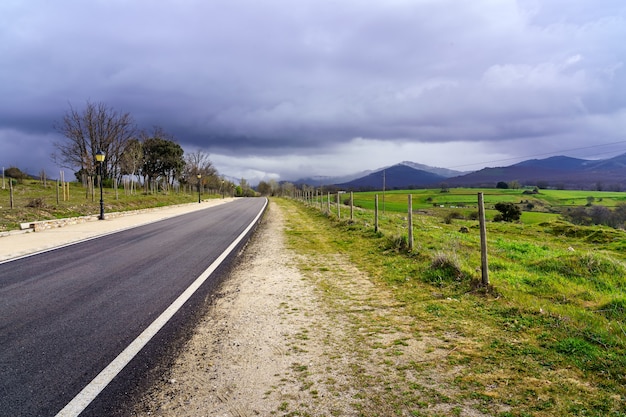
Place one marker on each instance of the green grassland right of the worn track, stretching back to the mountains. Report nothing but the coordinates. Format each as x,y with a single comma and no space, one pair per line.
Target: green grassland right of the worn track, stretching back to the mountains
549,337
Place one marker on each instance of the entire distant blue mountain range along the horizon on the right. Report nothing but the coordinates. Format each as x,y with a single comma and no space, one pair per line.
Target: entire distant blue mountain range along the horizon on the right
555,172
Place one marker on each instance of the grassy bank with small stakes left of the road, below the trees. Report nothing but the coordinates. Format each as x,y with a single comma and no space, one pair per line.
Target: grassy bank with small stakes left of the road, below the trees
33,201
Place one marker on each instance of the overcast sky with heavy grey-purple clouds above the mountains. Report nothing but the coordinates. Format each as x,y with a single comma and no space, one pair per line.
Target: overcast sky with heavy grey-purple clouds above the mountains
290,88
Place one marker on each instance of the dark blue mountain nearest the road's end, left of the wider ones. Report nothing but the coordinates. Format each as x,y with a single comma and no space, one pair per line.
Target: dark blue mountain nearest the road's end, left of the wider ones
400,176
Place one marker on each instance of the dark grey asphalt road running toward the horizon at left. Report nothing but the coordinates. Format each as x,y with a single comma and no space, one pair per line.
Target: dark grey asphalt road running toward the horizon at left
67,314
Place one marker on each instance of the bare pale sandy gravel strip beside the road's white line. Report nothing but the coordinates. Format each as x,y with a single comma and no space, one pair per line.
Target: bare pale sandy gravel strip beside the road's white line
250,353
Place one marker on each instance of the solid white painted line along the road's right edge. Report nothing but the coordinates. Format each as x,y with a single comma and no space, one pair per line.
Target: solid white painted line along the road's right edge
79,403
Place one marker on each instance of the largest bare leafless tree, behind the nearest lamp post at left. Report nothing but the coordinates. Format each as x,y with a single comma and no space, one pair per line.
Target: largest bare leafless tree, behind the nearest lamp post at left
97,127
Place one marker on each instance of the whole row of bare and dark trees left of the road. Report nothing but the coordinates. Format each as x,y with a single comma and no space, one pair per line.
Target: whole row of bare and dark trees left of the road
149,156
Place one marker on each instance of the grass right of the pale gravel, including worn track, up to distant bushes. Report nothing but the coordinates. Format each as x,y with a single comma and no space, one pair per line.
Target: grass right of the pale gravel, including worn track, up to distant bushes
547,339
